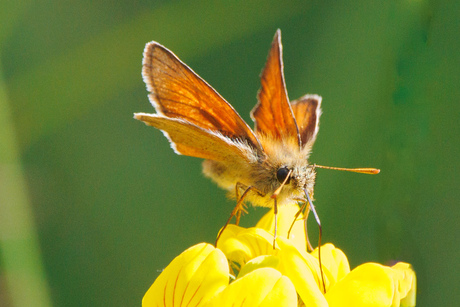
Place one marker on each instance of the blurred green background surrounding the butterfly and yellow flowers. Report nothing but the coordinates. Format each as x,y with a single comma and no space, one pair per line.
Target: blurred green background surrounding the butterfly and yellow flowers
93,204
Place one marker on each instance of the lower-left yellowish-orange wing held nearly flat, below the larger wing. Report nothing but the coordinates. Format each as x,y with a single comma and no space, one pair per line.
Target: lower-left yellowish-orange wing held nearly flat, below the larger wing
191,140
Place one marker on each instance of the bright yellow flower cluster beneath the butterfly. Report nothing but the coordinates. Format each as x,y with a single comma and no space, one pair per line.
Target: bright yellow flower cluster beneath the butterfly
284,276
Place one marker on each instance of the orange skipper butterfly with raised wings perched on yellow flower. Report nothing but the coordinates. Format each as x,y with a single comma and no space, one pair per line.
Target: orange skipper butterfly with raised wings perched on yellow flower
267,166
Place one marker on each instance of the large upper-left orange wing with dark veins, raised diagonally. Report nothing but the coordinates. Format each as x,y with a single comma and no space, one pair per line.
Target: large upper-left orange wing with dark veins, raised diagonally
178,92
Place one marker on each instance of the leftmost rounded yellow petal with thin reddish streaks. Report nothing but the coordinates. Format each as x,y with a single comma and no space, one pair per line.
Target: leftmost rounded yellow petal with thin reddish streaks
192,277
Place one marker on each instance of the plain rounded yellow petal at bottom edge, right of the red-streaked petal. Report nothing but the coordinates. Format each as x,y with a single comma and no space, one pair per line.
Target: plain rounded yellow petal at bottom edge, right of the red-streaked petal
261,287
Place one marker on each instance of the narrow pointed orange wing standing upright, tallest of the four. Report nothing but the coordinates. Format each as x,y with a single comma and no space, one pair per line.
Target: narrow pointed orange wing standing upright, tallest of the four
272,114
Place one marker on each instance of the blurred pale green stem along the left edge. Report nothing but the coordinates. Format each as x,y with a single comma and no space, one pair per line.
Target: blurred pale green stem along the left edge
20,256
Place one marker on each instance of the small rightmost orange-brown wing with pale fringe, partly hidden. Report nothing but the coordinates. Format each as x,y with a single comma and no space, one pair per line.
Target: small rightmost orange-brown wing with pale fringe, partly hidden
307,110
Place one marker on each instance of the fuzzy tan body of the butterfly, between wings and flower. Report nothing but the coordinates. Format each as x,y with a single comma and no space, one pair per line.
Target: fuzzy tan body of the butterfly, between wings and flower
259,171
